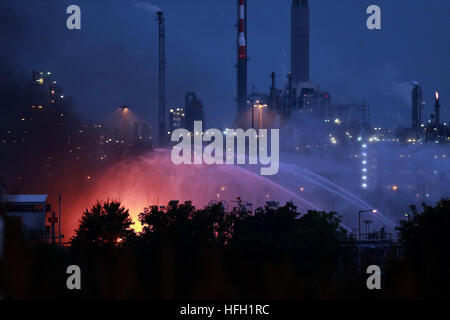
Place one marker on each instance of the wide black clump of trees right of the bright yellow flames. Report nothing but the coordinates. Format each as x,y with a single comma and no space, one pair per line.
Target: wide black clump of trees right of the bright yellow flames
298,255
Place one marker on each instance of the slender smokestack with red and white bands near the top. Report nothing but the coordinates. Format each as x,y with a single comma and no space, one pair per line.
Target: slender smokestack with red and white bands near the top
242,57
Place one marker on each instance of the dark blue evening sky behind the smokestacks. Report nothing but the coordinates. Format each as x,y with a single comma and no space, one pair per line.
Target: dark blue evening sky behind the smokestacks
113,59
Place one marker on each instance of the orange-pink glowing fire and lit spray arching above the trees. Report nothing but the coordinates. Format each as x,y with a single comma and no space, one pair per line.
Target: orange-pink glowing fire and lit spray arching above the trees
154,180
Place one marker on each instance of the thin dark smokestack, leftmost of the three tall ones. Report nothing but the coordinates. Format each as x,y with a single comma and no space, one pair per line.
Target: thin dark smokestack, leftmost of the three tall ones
162,81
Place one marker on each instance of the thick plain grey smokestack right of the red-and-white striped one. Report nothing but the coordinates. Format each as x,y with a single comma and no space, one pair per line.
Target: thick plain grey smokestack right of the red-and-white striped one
300,41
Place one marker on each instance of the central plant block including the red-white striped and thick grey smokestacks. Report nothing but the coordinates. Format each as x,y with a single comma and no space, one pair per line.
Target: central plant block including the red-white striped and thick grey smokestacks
299,95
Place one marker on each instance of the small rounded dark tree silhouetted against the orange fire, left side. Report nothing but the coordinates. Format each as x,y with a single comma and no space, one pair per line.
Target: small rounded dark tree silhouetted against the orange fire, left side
105,224
